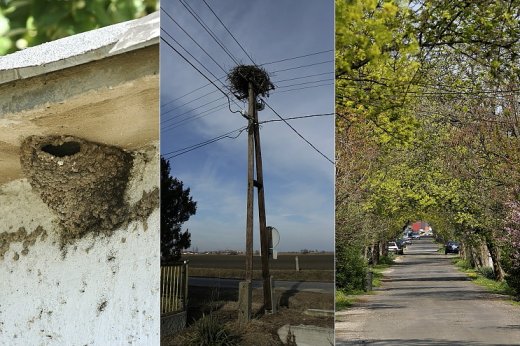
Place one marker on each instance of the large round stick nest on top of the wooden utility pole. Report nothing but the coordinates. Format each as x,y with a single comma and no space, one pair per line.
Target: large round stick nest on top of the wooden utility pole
240,76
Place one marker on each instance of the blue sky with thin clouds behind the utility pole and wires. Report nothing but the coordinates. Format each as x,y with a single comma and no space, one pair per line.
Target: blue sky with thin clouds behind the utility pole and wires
298,181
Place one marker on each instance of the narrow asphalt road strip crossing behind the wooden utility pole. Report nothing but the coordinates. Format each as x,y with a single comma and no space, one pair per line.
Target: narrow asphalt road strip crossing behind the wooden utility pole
304,286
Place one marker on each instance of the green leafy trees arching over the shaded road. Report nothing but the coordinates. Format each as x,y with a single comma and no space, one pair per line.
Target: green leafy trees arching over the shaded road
427,96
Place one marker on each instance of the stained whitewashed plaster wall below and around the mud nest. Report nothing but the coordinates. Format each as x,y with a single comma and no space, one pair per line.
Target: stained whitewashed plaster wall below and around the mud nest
101,289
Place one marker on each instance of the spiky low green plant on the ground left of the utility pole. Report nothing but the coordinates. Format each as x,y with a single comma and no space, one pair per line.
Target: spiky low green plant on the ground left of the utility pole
210,331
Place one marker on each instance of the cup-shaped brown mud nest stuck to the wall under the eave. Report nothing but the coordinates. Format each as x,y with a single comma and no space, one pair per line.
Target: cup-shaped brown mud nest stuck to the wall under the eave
82,182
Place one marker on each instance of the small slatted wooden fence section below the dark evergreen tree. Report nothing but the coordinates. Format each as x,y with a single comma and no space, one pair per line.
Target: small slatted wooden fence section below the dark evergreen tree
174,287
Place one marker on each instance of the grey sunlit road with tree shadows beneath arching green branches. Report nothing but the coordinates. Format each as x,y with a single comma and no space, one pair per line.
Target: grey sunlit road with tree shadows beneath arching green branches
424,300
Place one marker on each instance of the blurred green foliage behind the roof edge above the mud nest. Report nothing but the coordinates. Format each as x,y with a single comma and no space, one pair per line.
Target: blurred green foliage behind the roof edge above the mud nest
26,23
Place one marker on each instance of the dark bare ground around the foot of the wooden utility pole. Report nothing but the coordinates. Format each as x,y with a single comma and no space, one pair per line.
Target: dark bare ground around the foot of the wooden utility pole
262,329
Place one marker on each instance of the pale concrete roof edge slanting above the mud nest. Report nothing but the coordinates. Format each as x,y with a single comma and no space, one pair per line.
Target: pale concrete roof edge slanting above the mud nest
81,48
